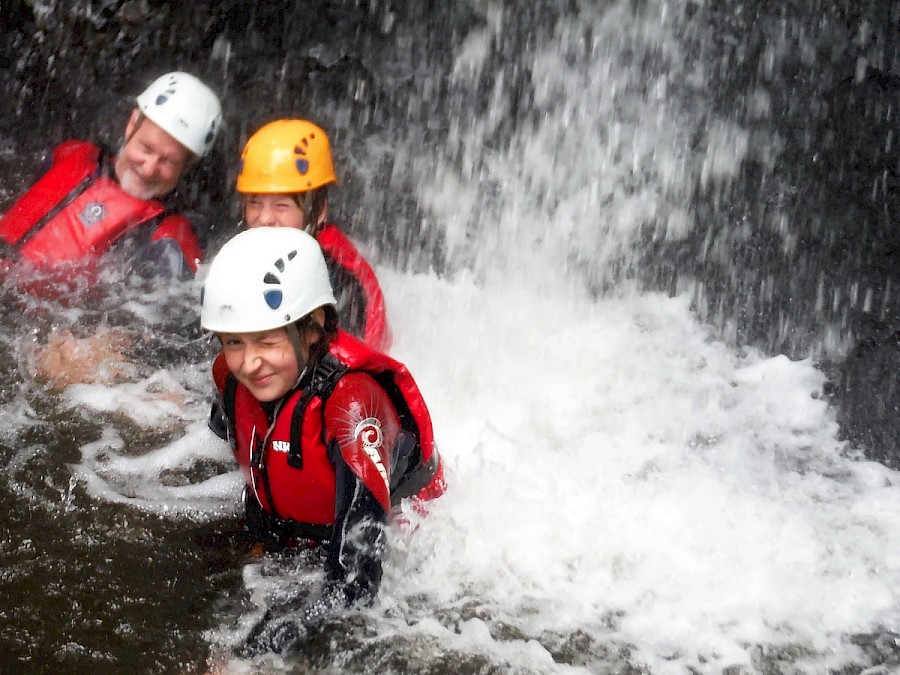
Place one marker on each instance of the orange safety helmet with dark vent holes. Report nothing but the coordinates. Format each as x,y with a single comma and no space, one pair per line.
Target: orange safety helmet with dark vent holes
286,156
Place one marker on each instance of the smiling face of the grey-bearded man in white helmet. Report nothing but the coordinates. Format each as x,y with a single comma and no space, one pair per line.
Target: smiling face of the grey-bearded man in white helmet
151,162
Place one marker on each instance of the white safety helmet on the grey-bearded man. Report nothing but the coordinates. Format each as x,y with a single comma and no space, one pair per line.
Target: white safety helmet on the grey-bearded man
185,108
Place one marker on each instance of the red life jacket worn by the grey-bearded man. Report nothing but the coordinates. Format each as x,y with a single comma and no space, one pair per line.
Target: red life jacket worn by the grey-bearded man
72,211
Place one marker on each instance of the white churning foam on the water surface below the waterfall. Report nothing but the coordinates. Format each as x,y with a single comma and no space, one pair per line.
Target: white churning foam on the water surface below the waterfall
613,470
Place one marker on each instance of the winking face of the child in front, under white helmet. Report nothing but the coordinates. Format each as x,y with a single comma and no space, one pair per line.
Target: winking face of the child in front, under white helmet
264,362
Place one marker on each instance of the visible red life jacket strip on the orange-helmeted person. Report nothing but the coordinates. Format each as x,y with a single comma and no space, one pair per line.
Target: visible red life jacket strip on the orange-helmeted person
339,248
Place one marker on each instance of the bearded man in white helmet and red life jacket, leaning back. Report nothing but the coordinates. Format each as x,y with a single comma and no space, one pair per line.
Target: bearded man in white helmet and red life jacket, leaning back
89,200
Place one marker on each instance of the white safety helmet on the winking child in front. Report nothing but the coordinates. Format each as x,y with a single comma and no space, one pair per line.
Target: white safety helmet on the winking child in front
264,278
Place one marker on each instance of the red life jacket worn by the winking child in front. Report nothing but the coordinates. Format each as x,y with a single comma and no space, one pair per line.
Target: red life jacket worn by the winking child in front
287,466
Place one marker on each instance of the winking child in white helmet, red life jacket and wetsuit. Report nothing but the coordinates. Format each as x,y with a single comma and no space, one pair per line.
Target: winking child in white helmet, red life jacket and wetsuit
330,434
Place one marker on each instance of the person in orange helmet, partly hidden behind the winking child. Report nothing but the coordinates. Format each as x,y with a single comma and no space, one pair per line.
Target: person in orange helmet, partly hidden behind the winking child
286,168
